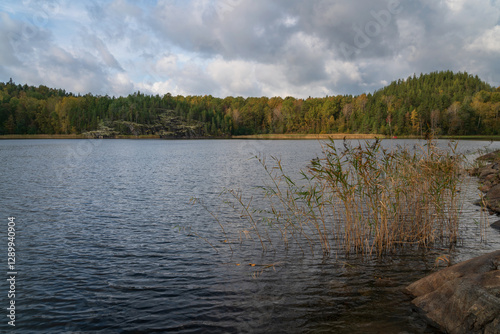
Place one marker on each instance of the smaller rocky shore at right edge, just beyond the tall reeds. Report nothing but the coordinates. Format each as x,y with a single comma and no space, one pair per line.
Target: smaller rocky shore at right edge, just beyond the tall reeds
489,177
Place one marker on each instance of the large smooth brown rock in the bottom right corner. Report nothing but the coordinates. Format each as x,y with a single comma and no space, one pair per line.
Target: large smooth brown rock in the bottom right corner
464,298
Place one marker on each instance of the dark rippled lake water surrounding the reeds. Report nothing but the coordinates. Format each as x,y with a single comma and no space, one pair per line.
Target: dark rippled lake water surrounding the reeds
102,245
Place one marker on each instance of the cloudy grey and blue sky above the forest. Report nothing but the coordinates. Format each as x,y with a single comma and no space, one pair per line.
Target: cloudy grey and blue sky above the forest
255,48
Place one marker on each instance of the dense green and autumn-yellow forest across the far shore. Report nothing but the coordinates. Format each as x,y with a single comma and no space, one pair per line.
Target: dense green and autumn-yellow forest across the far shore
441,103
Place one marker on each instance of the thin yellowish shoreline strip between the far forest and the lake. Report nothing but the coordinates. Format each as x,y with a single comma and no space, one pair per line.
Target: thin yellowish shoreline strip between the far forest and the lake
335,136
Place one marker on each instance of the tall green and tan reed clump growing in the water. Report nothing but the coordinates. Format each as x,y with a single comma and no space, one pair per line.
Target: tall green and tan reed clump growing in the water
362,199
